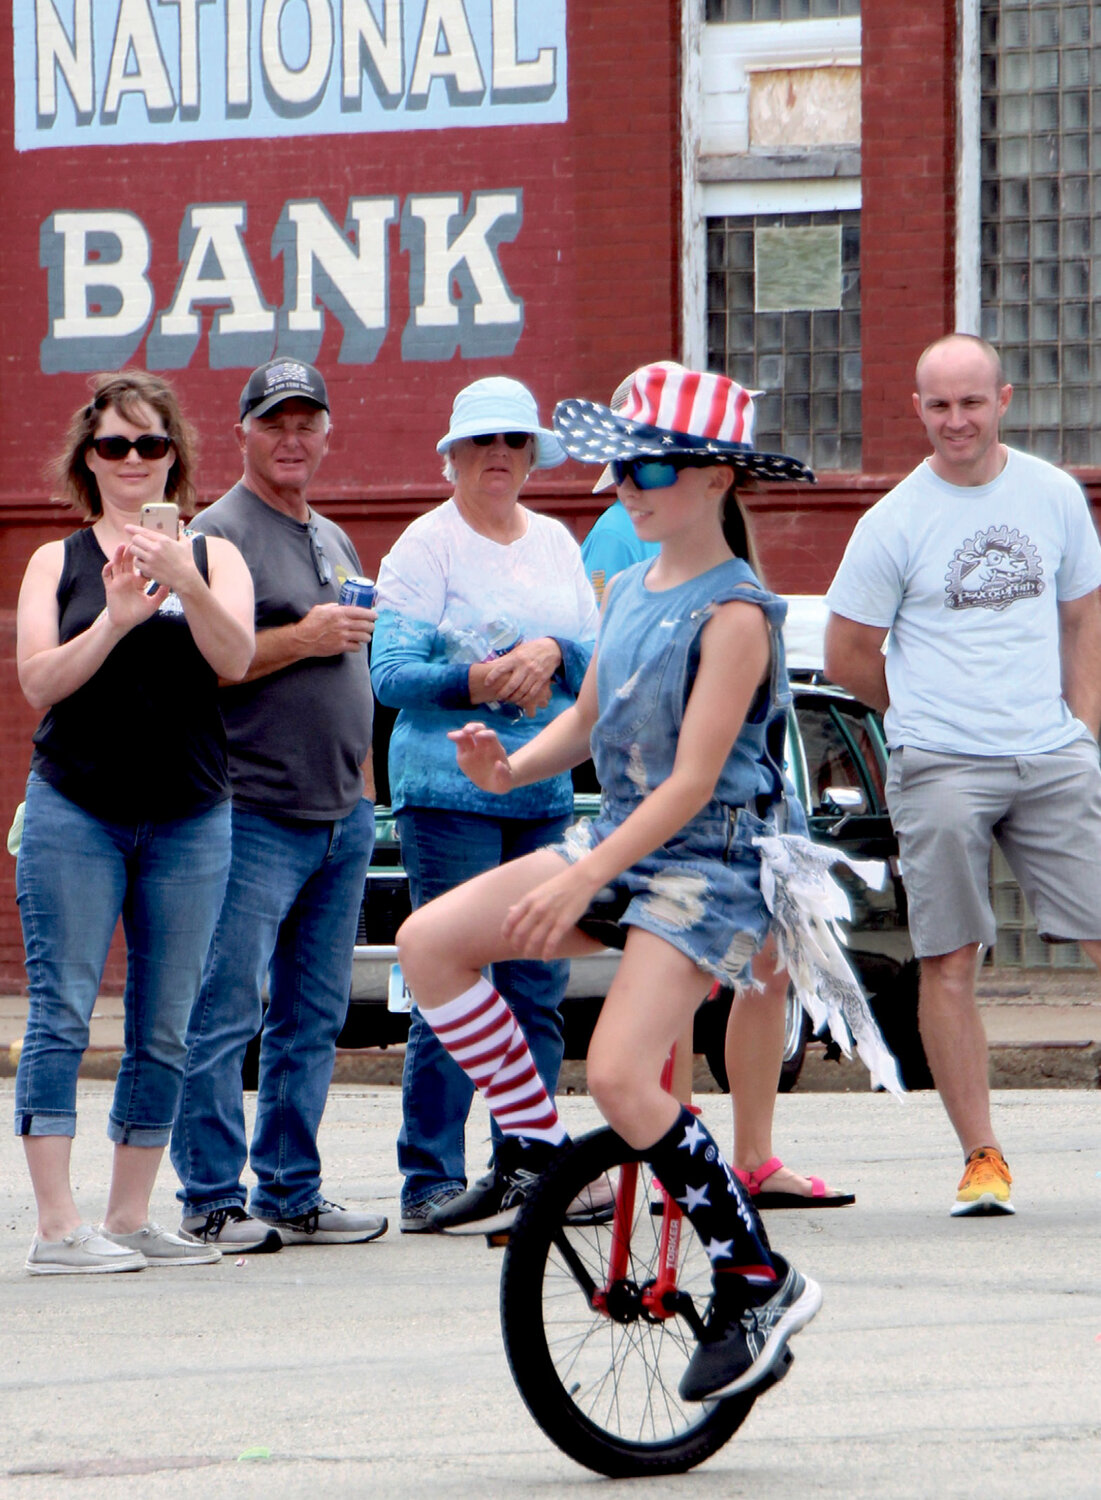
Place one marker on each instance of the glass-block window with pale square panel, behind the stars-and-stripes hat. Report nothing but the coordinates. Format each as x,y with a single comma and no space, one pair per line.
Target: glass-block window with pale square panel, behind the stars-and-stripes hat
784,319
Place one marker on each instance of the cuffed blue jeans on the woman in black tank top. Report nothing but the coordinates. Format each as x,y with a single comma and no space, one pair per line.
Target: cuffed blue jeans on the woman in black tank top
76,877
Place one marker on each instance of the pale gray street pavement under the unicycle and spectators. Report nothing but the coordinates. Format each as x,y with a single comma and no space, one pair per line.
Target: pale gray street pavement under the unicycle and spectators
950,1358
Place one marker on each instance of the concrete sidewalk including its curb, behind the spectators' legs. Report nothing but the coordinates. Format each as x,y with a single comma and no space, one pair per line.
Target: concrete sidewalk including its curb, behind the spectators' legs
1045,1028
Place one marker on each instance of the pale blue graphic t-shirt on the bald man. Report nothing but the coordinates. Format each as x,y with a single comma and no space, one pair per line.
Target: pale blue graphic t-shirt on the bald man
970,581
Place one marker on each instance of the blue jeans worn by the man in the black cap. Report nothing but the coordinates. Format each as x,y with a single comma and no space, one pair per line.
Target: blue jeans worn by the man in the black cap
290,920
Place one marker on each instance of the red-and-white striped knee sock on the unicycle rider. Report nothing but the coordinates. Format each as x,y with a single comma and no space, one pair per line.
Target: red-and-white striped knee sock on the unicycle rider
484,1037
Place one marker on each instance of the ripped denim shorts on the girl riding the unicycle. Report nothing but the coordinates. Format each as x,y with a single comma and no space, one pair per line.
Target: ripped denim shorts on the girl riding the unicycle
700,892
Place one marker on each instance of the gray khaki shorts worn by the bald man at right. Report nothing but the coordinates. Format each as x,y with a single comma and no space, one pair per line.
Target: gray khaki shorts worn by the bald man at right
1045,811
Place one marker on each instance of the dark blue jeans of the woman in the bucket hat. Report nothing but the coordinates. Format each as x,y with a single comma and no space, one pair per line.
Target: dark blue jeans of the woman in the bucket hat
442,850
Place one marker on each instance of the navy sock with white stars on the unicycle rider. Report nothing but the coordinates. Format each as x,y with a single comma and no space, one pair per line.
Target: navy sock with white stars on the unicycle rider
692,1169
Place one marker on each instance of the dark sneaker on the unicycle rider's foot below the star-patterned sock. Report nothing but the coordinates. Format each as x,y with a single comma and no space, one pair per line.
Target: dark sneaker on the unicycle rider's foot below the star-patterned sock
745,1346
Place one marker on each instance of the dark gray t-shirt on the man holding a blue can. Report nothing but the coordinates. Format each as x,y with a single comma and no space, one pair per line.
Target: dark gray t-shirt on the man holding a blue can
299,736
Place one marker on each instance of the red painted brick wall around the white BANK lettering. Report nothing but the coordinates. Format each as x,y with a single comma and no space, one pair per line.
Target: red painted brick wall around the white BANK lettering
595,260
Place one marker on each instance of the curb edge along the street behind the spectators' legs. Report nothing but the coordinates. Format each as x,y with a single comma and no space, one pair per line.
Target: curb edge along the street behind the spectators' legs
1013,1066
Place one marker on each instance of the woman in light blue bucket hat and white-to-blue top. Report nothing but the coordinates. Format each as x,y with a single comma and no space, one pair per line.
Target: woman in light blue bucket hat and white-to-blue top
484,605
